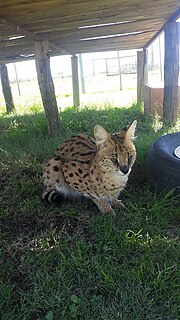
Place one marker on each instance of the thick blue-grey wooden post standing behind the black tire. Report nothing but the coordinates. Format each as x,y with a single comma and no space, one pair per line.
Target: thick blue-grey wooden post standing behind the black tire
171,71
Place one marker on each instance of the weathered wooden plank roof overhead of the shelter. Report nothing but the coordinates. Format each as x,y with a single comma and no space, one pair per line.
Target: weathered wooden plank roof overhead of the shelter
79,26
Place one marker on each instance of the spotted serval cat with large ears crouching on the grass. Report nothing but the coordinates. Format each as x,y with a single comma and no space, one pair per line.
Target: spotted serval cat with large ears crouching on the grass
95,168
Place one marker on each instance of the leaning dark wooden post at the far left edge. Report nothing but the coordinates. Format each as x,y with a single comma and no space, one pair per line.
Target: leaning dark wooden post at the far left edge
6,89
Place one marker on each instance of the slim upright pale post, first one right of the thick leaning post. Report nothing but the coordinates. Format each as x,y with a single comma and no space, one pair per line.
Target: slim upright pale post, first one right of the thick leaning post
75,81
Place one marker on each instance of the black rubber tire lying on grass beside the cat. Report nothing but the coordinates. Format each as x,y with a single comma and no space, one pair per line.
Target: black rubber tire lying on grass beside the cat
162,166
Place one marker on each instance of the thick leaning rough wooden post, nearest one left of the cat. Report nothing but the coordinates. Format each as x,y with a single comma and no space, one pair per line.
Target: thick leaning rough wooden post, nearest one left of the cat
46,86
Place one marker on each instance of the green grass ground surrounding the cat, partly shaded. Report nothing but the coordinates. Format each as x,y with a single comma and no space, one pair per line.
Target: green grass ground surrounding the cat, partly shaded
72,262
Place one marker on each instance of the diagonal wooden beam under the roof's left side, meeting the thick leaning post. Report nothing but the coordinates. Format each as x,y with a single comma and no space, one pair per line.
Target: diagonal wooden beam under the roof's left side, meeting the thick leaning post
30,35
